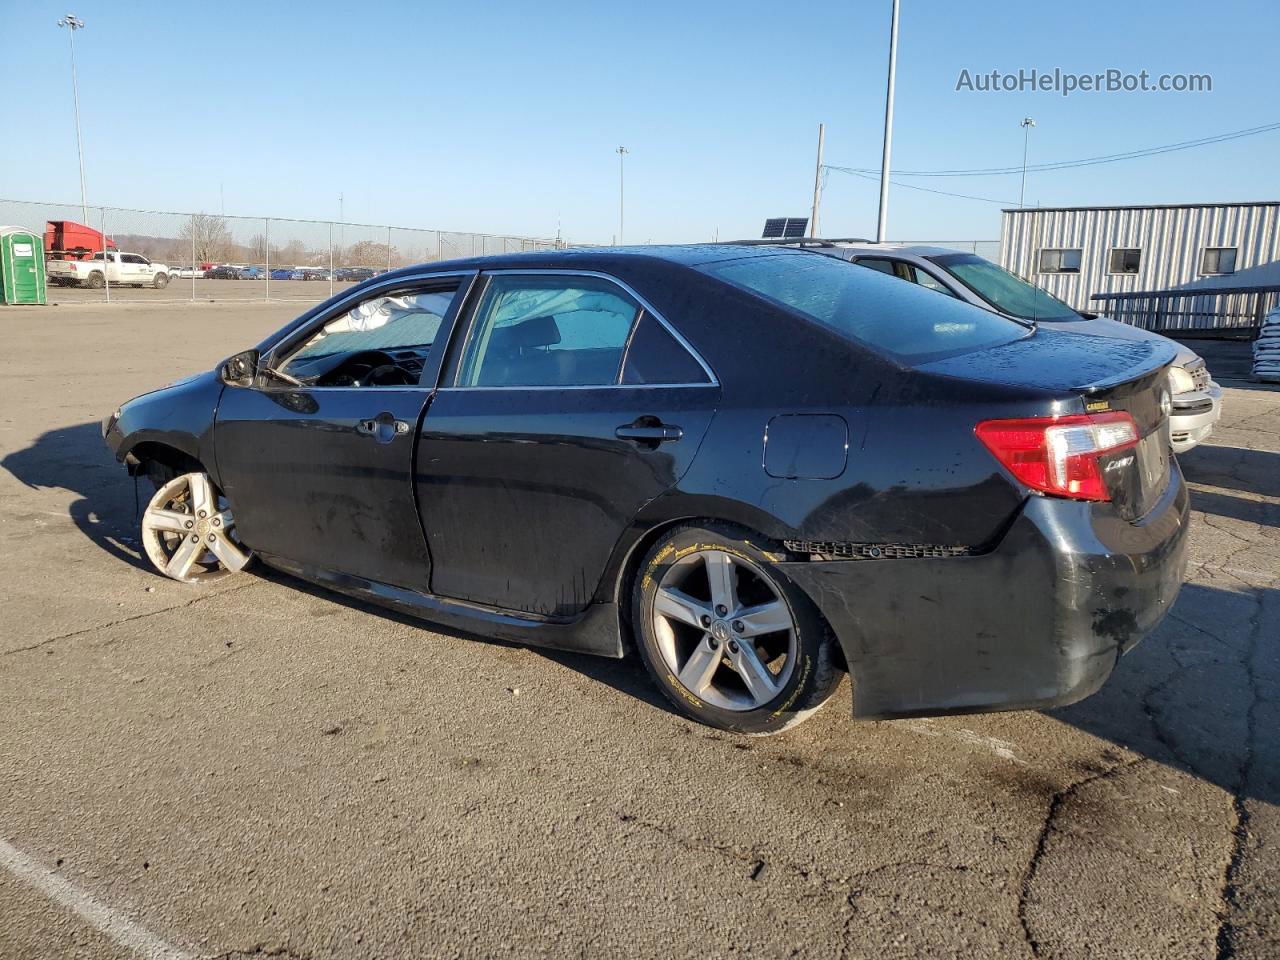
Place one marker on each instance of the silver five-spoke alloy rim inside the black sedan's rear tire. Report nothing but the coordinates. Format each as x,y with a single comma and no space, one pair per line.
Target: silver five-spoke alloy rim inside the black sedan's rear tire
725,630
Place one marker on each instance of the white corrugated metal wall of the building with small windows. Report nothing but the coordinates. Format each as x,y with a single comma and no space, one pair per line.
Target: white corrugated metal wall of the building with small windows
1172,240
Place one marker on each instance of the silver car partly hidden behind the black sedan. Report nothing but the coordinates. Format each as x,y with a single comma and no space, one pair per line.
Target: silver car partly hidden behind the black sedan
1197,400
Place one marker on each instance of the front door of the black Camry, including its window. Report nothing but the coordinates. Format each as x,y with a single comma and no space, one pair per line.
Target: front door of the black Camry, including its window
321,473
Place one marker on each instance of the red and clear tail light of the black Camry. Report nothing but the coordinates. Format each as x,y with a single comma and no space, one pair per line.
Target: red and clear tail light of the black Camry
1060,455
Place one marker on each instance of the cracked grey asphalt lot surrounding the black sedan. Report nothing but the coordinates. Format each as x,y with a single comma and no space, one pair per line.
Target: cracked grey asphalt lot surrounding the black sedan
259,769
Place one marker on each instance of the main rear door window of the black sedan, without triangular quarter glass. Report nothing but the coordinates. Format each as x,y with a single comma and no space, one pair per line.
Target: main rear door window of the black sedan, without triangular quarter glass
547,332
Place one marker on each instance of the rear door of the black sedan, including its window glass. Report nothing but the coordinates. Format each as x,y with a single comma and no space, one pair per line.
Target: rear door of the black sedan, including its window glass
569,406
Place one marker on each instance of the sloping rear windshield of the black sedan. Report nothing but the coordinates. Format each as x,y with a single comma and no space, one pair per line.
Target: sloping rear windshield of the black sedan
909,322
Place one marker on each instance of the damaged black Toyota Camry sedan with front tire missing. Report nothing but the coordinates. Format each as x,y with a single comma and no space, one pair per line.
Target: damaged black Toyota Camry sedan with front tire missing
761,468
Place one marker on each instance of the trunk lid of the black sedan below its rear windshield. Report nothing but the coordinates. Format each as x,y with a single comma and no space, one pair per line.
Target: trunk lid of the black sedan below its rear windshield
1101,374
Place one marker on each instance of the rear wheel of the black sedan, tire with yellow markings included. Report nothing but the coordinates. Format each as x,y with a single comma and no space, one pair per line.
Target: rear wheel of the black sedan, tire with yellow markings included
707,657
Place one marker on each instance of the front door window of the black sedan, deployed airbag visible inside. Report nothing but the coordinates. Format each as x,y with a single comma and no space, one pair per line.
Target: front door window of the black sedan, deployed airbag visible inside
391,335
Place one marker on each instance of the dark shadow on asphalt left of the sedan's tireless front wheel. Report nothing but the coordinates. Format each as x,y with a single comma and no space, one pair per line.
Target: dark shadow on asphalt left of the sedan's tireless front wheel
75,459
